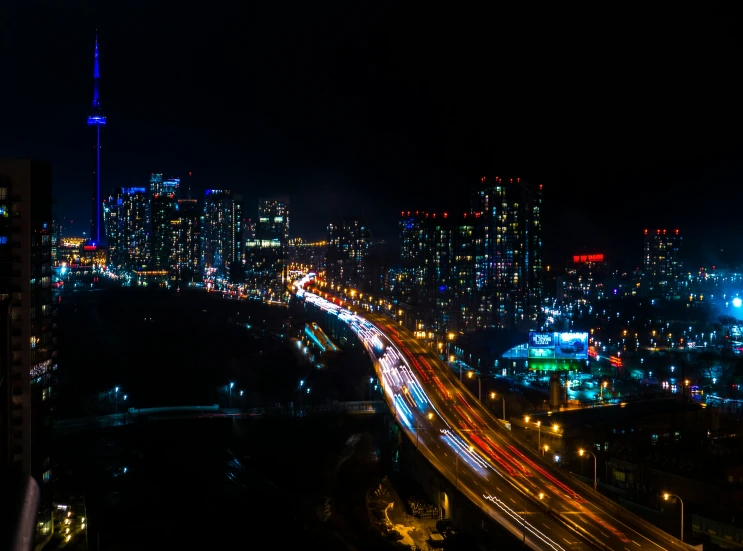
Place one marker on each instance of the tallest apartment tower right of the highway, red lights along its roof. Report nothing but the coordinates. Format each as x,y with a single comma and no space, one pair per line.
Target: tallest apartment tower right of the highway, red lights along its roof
509,253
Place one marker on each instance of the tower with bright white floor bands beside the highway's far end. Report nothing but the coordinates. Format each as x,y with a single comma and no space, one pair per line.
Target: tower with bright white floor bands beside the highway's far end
267,255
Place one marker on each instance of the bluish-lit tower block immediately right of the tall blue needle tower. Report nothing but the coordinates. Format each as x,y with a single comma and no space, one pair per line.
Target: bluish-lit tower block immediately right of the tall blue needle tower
126,215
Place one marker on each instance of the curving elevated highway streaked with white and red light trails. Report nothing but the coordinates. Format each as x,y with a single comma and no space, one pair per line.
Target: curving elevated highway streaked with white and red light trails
482,460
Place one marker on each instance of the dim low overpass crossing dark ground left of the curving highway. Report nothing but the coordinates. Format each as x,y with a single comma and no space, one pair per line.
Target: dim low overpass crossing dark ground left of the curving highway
168,413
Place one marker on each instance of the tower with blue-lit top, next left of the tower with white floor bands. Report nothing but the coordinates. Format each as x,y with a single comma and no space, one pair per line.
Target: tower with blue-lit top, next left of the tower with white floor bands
218,233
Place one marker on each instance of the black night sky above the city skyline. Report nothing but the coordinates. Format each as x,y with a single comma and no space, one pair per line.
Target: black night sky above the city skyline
369,109
